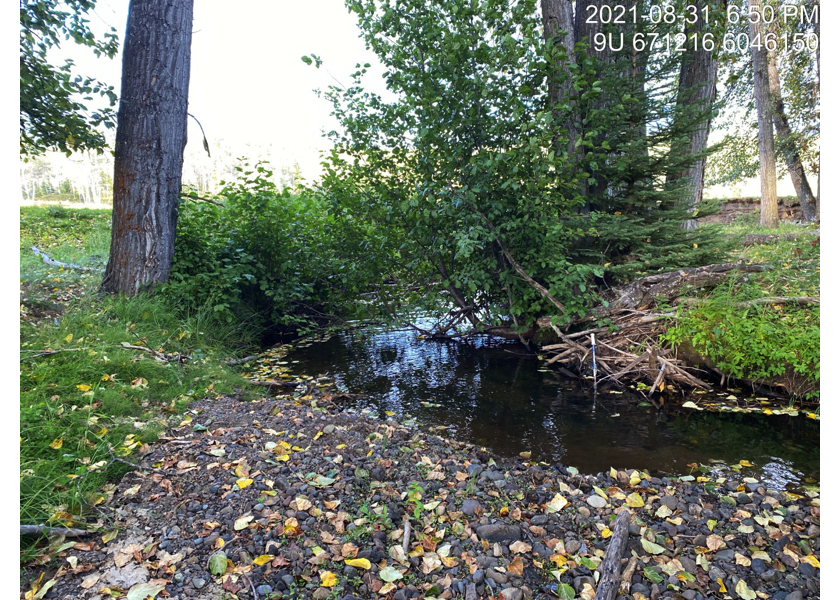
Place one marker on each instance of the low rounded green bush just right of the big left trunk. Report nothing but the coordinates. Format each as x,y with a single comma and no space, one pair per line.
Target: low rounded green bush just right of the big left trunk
264,252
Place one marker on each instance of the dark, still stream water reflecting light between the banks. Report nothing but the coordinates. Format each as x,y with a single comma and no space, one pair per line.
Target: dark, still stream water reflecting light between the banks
493,393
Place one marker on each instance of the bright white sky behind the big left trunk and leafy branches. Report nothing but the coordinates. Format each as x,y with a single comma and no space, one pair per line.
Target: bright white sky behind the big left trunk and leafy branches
248,85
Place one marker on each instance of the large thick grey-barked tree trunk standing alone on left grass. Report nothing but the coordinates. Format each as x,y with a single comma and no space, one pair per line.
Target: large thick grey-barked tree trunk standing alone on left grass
149,152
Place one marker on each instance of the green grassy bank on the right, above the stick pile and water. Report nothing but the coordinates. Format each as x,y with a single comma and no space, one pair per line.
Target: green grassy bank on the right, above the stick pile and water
748,337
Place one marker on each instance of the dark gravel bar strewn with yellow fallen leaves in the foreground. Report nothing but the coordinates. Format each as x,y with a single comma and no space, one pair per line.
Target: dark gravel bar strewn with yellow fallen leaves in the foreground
300,498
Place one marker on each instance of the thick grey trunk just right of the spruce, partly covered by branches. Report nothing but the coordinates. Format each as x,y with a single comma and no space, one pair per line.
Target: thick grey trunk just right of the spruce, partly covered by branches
698,76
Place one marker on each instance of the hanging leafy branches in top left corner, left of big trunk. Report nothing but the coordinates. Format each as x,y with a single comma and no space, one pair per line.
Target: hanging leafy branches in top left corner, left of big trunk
53,114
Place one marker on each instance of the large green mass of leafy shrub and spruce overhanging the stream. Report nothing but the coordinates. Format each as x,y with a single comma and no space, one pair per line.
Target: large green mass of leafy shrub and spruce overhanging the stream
469,169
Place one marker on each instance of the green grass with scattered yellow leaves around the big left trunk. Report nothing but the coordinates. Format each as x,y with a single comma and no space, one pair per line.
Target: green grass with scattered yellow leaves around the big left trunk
94,398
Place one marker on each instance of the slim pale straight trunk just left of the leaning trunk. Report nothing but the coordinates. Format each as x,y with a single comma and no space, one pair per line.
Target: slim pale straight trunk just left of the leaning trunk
764,108
